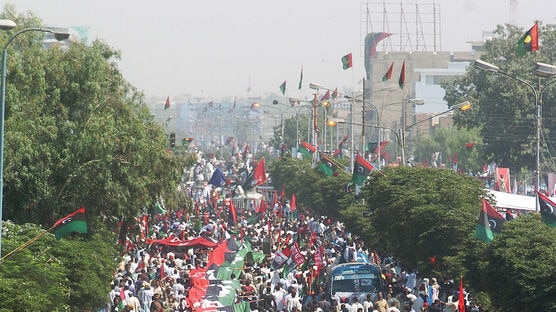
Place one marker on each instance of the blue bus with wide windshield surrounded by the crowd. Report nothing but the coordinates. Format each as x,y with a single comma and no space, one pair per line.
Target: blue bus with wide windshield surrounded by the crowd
349,280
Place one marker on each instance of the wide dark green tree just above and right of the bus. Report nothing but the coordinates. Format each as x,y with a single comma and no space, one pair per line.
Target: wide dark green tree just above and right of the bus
419,214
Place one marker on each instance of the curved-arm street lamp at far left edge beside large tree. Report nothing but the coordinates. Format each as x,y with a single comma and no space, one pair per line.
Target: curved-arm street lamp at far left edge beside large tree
6,25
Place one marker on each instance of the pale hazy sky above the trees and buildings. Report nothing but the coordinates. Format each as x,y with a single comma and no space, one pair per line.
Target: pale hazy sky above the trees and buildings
220,48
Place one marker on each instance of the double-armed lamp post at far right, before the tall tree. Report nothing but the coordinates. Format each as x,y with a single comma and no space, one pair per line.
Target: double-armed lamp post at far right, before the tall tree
542,70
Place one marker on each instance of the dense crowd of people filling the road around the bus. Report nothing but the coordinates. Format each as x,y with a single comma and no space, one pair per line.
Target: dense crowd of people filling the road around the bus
162,277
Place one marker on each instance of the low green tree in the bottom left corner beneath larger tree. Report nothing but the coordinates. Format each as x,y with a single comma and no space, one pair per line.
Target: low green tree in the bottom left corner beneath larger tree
71,274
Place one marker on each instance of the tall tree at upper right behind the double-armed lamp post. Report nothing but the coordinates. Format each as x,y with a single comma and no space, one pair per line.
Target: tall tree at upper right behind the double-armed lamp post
504,109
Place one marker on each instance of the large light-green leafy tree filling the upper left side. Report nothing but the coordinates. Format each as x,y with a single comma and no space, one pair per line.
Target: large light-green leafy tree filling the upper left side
78,135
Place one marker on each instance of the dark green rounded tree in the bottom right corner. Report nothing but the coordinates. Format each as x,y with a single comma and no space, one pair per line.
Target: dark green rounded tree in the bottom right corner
517,268
